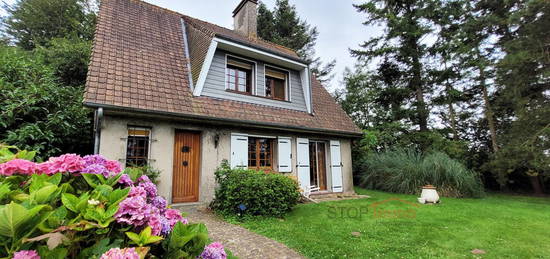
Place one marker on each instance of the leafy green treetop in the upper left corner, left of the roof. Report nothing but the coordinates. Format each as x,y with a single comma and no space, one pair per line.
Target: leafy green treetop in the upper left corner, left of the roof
32,23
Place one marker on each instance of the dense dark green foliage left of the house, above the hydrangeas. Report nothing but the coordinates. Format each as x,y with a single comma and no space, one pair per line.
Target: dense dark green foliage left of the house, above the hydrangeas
36,113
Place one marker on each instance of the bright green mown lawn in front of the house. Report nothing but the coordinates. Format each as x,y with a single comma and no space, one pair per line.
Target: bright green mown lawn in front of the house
503,226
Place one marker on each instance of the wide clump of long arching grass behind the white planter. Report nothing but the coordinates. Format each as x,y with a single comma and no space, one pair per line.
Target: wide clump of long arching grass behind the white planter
407,170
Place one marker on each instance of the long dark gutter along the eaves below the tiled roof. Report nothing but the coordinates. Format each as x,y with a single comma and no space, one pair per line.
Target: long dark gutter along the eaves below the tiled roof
235,122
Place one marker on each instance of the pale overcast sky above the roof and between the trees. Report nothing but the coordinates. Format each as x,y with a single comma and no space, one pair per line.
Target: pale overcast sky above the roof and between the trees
340,26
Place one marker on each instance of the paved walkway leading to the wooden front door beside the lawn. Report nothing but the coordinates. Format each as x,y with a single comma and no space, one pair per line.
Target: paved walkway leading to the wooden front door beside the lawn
242,242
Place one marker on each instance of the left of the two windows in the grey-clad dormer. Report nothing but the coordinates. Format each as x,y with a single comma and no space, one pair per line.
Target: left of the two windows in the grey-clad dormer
239,75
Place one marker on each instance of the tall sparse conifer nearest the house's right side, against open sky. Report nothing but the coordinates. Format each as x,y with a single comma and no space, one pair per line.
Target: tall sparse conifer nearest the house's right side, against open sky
407,22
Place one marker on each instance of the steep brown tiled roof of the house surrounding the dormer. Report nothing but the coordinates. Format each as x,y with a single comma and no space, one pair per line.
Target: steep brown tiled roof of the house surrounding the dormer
139,63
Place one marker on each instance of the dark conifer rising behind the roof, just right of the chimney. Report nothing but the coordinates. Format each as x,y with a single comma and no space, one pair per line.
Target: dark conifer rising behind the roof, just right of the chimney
284,27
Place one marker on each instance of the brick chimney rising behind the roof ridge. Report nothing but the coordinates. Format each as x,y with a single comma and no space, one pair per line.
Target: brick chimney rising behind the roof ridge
245,18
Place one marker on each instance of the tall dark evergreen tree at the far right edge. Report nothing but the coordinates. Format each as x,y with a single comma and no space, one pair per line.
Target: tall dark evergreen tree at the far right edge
524,76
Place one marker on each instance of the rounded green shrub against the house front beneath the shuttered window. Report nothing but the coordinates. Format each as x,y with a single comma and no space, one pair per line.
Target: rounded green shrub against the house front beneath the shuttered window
249,192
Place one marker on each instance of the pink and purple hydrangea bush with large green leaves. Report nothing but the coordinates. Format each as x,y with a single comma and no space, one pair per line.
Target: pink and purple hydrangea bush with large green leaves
86,207
